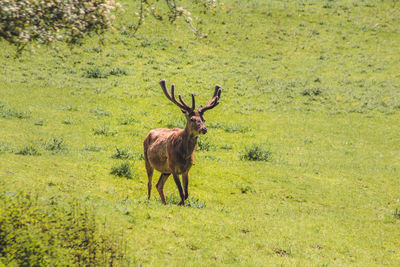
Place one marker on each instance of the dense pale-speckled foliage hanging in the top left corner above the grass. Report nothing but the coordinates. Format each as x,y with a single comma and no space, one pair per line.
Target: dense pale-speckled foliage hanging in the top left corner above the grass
47,21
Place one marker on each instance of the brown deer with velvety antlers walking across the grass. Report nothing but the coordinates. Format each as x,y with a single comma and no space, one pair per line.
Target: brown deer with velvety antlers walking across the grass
170,151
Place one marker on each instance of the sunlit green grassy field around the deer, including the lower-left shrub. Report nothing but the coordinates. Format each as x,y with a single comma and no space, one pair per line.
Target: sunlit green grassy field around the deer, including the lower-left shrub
313,85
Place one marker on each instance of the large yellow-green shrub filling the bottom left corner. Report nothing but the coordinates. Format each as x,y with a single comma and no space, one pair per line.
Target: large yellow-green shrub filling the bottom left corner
45,233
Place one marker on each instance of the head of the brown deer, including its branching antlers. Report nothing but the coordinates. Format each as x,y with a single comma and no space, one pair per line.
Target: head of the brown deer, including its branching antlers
195,119
